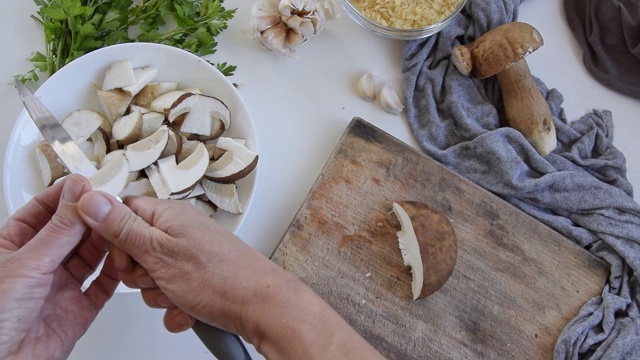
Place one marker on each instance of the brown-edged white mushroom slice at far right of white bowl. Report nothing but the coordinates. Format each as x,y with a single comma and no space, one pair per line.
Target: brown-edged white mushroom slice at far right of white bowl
236,162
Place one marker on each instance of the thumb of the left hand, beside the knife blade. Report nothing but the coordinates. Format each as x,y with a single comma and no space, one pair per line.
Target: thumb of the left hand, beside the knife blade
65,229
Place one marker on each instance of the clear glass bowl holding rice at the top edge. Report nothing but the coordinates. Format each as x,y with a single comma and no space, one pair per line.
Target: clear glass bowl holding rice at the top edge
396,33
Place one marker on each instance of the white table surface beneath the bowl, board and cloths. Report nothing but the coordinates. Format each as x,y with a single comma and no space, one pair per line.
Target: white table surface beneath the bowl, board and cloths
301,107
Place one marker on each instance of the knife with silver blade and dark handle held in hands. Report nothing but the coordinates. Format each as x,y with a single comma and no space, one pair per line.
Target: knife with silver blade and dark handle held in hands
222,344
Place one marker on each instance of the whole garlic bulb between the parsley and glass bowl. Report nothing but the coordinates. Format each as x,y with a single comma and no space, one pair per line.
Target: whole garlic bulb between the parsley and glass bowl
283,25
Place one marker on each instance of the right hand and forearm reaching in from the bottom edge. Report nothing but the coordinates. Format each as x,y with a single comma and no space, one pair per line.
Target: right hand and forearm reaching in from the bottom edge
189,264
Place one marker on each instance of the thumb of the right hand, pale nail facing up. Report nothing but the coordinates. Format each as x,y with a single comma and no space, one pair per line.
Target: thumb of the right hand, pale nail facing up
118,224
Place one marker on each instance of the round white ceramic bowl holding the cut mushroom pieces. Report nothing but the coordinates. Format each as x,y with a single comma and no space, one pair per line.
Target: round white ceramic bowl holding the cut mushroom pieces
72,88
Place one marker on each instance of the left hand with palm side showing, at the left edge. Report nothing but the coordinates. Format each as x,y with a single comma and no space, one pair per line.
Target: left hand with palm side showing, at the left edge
46,254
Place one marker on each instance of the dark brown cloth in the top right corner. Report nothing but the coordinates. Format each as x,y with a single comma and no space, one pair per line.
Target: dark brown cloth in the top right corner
609,33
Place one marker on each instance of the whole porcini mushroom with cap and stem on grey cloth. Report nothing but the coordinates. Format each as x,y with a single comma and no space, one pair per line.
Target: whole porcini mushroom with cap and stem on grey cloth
501,52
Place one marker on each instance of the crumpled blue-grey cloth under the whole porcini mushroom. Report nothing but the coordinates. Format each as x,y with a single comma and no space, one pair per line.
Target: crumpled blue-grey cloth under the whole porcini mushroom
580,189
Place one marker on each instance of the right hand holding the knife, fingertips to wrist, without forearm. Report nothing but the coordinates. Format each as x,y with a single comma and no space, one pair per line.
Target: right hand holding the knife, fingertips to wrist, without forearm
183,260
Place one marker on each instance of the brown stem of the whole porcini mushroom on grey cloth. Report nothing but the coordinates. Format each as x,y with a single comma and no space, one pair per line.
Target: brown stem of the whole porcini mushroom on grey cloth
525,108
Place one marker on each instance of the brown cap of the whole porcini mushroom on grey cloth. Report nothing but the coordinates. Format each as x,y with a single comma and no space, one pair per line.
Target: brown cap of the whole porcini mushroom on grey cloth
497,49
